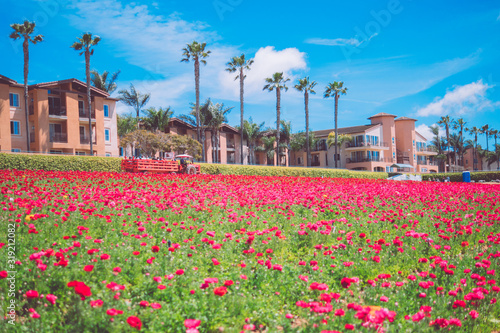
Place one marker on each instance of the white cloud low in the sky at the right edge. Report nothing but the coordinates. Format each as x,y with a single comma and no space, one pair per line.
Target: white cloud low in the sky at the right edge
459,101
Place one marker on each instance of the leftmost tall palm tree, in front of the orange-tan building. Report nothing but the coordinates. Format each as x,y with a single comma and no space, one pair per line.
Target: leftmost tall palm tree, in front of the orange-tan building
25,31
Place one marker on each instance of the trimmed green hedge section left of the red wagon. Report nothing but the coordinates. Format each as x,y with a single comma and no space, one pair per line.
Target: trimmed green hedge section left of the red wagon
59,162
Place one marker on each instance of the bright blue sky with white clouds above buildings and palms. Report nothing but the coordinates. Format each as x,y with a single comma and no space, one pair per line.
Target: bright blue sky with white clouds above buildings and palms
422,59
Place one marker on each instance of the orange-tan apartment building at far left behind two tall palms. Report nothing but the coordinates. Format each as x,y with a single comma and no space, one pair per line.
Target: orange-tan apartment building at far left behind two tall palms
58,118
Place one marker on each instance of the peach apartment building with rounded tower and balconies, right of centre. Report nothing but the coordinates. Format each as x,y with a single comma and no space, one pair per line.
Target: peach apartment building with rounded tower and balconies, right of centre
387,144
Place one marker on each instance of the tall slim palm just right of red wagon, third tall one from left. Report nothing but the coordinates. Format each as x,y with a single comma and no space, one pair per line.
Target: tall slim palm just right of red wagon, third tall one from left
197,51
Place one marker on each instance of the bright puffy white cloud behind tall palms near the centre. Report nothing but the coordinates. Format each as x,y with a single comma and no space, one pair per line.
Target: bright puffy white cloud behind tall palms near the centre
267,61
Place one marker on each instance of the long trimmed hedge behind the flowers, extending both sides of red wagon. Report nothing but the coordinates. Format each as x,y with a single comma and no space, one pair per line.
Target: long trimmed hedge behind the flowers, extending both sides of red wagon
90,163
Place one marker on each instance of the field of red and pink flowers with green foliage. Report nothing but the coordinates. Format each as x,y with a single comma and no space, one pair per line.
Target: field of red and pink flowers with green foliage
110,252
